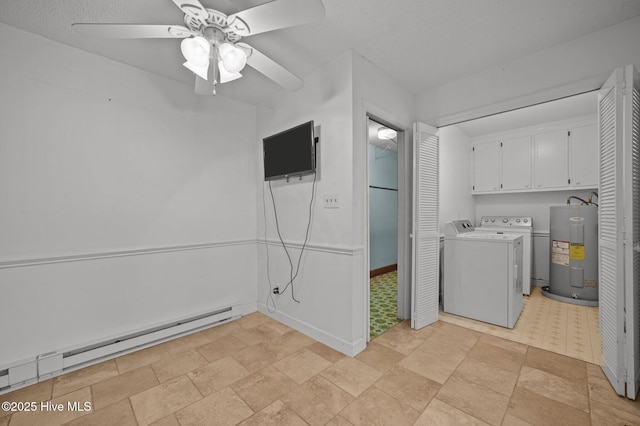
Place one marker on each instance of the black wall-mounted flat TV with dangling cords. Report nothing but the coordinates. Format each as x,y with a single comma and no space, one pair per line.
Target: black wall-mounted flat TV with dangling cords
289,153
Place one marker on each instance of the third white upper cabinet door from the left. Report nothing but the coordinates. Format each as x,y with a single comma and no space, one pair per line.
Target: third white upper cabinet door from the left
551,169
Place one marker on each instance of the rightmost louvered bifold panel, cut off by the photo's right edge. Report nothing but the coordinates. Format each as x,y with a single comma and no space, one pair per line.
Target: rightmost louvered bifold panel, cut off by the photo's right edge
631,131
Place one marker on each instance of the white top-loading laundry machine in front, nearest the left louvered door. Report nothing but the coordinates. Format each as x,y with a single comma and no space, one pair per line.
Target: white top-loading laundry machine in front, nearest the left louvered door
482,274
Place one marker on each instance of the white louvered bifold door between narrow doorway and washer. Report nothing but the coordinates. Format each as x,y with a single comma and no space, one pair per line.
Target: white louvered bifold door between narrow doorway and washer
426,239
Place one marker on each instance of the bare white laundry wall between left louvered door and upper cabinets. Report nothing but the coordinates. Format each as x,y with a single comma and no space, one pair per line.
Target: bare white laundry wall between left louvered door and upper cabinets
456,201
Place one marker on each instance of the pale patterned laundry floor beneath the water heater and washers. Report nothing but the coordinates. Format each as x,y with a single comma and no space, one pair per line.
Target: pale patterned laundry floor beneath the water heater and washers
545,323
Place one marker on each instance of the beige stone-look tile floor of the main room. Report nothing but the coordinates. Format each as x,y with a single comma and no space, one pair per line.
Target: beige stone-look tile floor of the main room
256,371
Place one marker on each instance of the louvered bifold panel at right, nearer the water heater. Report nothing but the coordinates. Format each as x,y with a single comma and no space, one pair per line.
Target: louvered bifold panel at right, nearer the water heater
610,237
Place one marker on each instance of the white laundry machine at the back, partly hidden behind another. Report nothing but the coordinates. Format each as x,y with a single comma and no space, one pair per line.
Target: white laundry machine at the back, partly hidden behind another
522,225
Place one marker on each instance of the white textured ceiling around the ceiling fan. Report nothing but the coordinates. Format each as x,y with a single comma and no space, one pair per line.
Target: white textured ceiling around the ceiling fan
421,43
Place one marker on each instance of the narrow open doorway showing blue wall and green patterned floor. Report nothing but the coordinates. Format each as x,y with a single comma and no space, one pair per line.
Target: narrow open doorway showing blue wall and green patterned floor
382,150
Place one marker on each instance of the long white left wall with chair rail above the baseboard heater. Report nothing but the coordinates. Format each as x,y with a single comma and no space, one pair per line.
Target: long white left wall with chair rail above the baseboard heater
106,172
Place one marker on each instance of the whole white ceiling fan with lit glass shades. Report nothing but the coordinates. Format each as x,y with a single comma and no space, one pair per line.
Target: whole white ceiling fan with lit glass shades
211,40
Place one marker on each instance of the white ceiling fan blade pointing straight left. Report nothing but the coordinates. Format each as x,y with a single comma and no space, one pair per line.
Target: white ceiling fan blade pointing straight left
132,31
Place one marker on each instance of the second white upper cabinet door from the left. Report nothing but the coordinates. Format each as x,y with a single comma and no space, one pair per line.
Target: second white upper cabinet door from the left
516,163
